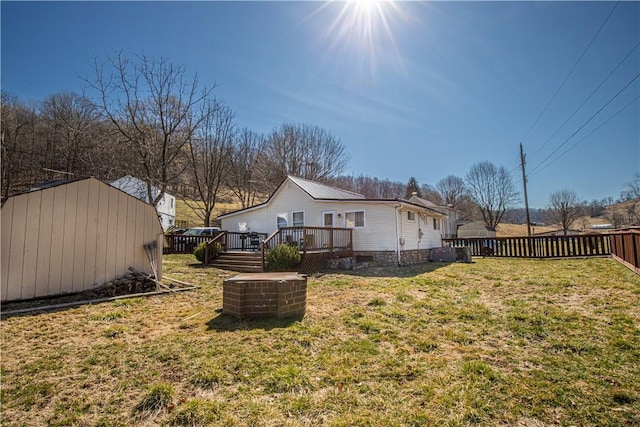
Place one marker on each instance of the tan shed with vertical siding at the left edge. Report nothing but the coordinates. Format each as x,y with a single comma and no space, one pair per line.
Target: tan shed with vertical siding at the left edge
73,236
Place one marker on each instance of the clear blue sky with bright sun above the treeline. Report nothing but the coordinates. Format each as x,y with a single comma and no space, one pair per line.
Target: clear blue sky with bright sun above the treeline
423,89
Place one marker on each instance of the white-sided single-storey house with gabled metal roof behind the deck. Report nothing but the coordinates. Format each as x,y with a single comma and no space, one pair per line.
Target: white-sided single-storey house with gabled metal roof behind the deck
388,231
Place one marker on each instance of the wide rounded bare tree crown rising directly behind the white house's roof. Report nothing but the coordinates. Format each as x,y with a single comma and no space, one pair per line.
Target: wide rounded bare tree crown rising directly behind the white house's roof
304,151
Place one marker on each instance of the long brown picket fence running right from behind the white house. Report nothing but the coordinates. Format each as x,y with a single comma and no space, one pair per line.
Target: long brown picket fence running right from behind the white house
537,246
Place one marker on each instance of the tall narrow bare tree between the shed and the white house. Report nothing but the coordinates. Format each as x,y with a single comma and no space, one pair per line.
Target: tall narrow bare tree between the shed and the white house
209,151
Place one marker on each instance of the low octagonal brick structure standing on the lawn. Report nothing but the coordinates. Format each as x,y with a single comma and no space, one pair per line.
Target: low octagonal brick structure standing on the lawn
265,295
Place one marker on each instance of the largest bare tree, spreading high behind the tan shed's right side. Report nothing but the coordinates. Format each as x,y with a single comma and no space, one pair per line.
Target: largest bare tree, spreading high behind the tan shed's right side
154,105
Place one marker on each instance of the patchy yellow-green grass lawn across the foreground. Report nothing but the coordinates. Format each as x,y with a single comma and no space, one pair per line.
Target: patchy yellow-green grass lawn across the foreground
495,342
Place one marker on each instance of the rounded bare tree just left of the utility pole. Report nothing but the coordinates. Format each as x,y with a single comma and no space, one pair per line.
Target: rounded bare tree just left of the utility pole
492,191
